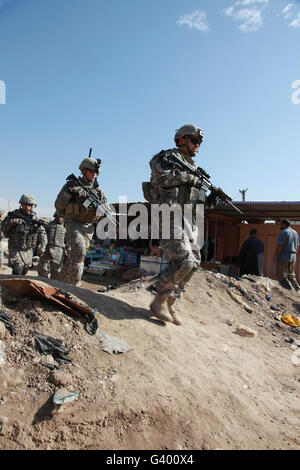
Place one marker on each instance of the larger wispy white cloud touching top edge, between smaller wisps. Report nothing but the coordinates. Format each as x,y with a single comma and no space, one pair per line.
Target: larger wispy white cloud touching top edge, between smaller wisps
250,18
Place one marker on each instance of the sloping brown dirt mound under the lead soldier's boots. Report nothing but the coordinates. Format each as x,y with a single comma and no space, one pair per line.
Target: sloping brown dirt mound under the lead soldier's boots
199,385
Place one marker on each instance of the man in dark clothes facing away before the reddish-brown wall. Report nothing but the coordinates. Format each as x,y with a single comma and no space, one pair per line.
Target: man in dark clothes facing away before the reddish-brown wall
251,256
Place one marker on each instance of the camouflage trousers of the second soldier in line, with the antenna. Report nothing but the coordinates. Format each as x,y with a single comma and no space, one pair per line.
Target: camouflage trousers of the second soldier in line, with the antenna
77,238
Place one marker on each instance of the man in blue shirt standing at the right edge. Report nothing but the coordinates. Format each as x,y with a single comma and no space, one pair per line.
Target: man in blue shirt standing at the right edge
285,256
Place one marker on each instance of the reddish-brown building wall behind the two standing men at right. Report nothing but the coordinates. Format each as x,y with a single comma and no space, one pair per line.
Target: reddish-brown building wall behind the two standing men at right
268,234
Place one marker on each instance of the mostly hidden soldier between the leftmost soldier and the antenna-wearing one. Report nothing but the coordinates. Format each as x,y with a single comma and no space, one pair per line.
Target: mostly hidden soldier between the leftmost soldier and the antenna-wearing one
51,261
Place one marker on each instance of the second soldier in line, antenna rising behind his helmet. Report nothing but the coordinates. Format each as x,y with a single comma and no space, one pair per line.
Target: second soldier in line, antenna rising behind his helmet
79,218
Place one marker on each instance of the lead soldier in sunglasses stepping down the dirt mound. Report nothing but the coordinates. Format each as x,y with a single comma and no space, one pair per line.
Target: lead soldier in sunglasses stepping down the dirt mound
172,186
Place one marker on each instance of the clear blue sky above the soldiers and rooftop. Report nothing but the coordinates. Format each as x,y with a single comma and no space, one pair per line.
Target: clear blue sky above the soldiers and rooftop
122,76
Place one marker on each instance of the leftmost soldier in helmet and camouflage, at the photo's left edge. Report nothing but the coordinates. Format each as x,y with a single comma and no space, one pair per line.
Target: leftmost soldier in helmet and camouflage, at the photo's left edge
25,232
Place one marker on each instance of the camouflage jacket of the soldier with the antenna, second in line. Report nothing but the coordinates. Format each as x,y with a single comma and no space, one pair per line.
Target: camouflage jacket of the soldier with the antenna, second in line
72,206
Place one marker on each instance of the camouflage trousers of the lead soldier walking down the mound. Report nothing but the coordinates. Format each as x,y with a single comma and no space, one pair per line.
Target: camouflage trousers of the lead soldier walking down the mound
183,262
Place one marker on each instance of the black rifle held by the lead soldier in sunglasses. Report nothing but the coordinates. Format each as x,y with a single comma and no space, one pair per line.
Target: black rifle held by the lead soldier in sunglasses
204,182
